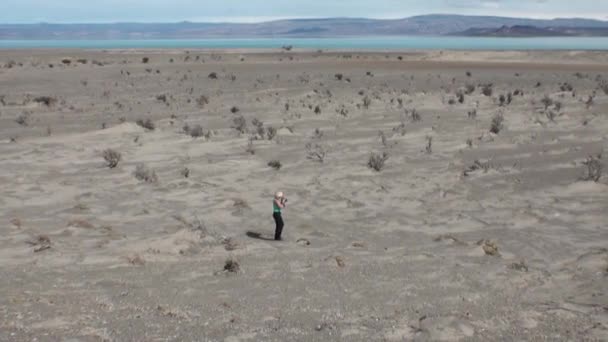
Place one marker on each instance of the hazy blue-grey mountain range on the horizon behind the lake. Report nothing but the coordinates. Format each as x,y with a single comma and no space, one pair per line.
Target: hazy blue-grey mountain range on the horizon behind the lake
330,27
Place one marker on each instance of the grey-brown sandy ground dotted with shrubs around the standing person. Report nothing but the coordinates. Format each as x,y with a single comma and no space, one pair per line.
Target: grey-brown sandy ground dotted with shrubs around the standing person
477,237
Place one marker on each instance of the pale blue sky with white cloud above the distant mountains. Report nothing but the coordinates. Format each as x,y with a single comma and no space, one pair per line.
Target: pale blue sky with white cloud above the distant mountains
103,11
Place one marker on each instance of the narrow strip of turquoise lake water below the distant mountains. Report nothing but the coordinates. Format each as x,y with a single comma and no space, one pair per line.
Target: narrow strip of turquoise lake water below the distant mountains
359,43
